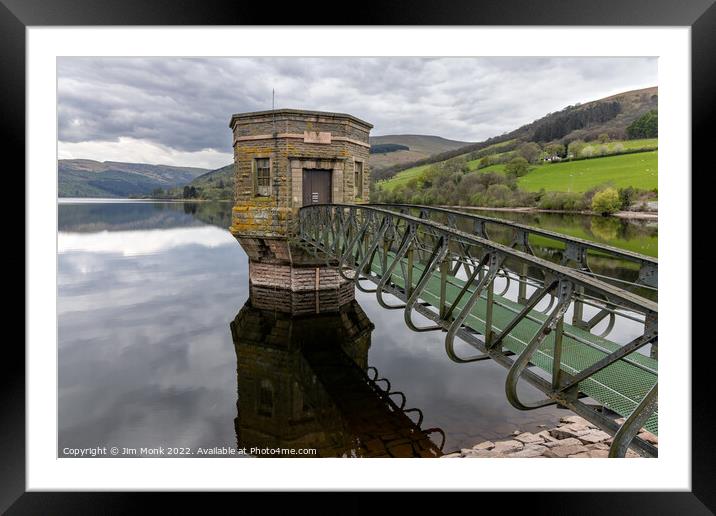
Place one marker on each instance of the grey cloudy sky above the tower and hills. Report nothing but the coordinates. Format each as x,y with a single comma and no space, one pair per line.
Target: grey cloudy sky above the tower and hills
176,111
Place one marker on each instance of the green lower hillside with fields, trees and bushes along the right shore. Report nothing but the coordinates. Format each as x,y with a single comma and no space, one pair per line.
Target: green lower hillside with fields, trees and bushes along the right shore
570,185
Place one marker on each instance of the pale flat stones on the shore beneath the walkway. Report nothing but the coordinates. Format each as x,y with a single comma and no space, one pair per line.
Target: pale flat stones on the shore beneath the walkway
574,438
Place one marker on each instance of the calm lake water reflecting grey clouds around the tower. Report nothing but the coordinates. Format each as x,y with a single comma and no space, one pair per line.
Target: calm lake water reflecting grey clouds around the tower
147,294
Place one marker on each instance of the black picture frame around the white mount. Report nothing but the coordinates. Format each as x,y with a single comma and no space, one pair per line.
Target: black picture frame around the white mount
699,15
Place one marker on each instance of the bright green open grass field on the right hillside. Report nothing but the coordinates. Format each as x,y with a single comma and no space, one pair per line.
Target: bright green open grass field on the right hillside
638,170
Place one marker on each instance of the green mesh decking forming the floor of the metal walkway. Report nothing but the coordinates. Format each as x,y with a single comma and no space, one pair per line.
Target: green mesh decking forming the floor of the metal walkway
619,387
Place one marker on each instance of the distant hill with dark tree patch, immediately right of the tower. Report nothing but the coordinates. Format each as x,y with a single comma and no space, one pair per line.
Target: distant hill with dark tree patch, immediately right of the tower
419,147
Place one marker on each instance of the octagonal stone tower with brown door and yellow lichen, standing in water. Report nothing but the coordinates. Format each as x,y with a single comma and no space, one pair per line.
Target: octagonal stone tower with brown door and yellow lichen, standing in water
285,159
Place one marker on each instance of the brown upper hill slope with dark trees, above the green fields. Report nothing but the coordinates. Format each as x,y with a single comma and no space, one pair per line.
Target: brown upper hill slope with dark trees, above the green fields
610,115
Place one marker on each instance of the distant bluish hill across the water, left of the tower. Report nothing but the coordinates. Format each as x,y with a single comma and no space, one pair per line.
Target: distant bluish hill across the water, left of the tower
89,178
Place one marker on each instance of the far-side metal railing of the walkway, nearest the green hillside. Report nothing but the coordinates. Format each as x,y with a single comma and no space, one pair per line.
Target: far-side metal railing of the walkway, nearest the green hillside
576,247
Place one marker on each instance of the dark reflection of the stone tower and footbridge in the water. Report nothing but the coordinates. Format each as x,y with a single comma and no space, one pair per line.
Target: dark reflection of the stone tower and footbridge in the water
304,381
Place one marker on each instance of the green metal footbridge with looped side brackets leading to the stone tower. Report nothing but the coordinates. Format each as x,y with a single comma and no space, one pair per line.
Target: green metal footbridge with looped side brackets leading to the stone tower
536,317
